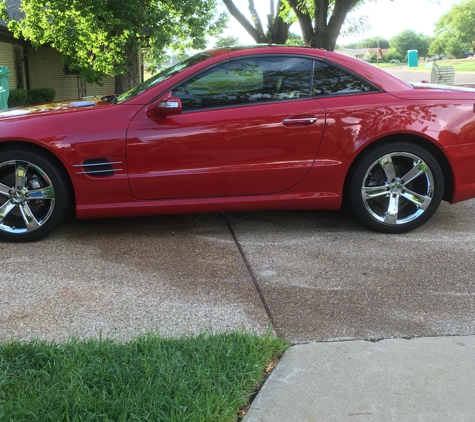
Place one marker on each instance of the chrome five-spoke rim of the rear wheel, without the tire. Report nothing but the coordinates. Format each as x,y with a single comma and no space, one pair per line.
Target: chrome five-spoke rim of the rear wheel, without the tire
397,188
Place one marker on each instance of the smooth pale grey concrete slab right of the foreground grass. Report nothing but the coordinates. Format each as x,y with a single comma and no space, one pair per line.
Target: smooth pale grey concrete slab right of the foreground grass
424,379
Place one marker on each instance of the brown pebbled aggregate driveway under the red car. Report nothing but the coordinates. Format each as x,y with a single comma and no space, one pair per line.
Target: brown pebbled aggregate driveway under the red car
318,275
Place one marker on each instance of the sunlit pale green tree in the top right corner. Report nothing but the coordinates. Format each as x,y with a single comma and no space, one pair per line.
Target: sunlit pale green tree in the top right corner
455,30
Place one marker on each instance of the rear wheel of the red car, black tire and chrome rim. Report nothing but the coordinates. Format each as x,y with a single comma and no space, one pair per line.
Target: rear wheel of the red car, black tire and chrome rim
395,187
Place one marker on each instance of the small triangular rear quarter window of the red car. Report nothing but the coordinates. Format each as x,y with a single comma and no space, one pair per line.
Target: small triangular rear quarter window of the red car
328,80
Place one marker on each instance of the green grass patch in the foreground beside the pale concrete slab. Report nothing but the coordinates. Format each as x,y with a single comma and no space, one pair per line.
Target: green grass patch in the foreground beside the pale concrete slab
205,378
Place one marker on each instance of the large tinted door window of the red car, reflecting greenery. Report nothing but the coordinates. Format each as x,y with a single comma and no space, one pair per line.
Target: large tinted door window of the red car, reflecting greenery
247,80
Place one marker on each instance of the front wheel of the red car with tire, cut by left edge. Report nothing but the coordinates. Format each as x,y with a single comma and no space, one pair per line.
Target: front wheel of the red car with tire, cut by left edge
34,194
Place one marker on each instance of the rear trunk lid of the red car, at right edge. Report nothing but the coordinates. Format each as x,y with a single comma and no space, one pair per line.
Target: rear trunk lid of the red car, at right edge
436,92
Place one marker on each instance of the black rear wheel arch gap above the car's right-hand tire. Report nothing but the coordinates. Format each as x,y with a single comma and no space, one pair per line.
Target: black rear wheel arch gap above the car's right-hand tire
417,140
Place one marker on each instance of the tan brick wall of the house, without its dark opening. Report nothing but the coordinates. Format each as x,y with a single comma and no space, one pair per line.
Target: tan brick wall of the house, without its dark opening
46,70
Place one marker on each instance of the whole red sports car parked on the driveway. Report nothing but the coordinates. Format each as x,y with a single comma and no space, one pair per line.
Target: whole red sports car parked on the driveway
267,127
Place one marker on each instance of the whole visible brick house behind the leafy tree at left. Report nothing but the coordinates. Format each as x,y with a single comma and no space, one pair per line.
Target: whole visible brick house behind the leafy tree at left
42,67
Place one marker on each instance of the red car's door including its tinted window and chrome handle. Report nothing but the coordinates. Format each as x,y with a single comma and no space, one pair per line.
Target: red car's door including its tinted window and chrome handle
248,127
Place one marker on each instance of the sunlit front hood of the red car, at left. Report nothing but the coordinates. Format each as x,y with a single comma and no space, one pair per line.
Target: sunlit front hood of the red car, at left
55,108
